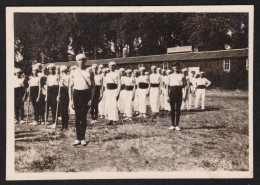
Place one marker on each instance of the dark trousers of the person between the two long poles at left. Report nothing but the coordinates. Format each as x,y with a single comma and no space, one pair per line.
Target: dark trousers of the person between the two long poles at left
52,101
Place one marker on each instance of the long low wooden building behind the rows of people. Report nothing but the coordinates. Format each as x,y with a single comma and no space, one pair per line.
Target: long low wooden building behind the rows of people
224,68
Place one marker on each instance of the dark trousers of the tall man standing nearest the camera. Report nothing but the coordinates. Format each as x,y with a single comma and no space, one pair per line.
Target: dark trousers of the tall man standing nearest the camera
81,99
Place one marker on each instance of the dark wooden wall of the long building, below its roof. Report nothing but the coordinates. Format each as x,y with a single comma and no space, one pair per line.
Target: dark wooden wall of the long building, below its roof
236,78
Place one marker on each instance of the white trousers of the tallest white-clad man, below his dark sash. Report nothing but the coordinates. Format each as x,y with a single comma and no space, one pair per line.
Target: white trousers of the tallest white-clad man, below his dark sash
111,104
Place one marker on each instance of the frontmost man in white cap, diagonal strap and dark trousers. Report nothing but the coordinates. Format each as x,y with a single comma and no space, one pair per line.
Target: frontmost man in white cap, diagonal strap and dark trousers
83,84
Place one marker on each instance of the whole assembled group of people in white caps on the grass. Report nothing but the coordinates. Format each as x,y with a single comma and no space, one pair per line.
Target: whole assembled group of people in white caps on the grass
107,92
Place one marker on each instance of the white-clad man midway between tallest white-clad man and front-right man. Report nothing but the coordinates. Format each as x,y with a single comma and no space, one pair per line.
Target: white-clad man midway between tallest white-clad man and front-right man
143,92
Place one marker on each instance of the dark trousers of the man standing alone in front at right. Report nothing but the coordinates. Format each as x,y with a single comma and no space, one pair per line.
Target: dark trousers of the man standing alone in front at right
175,103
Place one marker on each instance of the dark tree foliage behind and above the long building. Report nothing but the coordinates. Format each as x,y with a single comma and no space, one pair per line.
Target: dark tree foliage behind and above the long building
45,36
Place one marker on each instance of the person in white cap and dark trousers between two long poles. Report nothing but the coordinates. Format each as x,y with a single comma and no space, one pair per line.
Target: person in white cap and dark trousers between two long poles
52,91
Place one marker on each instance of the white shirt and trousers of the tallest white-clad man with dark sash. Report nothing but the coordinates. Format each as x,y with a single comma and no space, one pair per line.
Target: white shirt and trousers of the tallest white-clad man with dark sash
111,104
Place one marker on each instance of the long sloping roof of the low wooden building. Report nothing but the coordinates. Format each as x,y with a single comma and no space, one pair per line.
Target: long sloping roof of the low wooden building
219,54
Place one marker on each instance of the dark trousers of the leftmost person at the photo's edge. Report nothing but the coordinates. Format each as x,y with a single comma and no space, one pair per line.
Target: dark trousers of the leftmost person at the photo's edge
19,105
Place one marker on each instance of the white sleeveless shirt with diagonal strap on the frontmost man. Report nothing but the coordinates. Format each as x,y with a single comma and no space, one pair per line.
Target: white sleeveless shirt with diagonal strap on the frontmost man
79,78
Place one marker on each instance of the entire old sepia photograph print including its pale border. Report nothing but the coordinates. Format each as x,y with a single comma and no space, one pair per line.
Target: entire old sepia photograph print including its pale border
129,92
